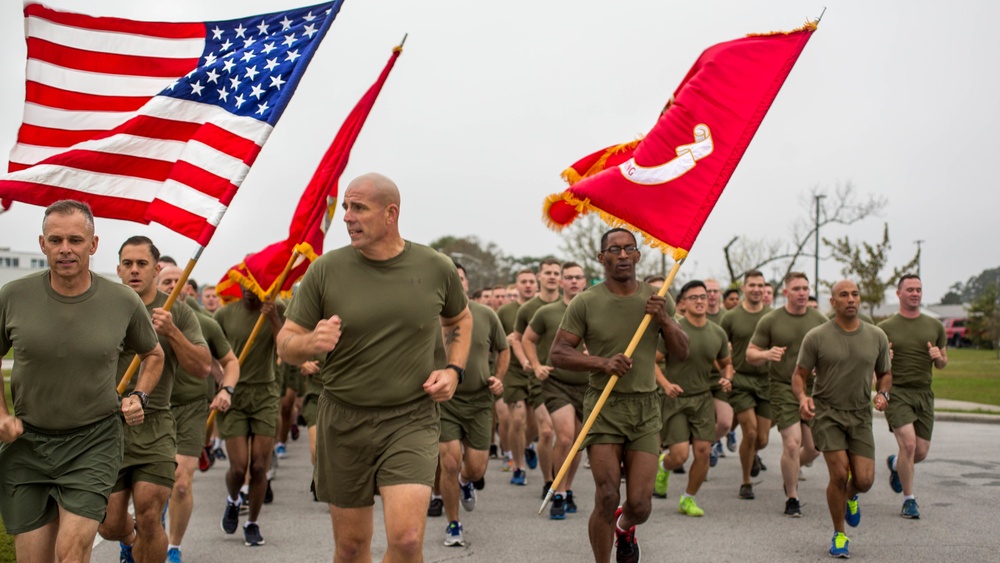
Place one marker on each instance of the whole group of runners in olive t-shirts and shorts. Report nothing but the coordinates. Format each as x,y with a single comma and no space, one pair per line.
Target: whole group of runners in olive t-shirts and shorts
411,410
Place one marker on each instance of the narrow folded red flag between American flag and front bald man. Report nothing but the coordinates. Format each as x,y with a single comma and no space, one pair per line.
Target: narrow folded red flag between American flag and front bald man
260,271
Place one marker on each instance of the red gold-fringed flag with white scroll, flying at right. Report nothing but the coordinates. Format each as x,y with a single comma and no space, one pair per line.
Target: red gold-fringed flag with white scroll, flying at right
666,185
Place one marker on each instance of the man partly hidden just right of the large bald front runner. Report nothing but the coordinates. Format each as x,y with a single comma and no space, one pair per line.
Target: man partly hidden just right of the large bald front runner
467,419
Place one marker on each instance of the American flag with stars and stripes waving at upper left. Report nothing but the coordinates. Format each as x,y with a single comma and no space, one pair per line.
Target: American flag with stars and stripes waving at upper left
152,121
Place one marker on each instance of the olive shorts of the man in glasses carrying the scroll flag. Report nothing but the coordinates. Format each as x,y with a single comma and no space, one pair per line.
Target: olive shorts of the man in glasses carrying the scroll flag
632,419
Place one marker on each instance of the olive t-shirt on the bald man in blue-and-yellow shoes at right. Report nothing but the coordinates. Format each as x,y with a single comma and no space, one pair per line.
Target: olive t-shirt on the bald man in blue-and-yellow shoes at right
844,363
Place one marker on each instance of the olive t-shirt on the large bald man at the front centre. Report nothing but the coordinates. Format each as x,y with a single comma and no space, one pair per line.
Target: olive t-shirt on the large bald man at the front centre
390,312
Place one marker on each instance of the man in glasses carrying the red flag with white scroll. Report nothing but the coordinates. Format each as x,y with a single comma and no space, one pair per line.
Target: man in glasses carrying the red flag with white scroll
604,318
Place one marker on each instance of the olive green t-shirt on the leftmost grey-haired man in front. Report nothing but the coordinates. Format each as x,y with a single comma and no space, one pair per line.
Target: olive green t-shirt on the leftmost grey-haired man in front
66,348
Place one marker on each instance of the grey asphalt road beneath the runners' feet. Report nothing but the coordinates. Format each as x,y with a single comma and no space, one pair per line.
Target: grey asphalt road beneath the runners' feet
958,489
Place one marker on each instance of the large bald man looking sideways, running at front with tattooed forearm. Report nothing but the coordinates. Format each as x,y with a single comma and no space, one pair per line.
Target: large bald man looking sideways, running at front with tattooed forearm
365,307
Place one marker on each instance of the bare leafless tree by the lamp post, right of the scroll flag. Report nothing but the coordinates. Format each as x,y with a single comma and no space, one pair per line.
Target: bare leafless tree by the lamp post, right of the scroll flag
841,207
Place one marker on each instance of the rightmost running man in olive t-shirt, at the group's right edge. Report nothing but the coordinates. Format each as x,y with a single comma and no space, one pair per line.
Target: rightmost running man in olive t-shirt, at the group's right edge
918,343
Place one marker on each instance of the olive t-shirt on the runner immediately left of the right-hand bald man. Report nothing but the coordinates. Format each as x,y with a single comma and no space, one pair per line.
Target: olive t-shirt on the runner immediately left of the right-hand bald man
781,328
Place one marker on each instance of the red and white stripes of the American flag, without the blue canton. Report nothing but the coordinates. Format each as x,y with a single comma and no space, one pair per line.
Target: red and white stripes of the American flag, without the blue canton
94,128
